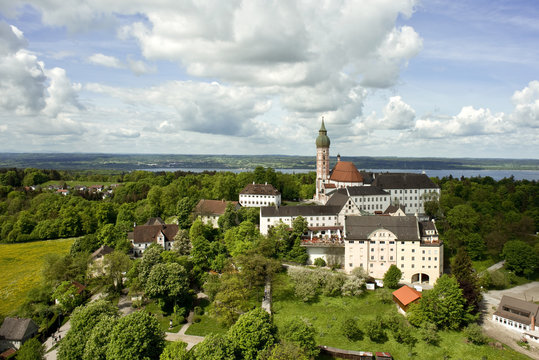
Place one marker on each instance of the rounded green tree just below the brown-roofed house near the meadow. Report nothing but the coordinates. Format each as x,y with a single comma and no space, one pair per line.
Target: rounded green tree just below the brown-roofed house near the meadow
167,282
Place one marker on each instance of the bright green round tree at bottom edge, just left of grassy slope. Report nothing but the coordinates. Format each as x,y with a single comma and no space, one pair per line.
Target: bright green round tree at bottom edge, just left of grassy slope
252,333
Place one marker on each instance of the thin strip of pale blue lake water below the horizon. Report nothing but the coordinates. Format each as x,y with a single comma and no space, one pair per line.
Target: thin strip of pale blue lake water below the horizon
495,174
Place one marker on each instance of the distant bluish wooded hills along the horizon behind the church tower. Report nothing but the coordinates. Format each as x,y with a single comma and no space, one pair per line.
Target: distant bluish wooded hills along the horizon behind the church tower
123,162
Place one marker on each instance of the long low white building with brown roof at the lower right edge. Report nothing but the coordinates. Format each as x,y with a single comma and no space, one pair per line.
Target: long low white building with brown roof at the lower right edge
518,315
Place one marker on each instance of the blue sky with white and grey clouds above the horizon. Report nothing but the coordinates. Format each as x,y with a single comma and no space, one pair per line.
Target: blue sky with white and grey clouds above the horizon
390,77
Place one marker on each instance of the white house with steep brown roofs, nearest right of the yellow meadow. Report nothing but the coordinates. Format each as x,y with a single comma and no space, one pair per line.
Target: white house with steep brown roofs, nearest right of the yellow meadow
154,231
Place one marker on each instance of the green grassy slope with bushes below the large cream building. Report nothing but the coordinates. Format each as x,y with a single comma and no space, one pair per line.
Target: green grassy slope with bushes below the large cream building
327,314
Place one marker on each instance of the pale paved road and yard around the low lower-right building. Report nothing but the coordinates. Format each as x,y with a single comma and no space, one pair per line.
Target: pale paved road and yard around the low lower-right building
491,300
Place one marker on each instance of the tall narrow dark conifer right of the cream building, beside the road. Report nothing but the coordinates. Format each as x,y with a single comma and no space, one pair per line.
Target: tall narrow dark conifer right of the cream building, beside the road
462,269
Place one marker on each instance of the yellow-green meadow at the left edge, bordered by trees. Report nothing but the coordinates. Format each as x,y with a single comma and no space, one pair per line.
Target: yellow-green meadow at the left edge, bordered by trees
20,266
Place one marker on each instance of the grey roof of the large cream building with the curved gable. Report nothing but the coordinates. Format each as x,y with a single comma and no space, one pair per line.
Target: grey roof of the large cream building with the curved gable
360,227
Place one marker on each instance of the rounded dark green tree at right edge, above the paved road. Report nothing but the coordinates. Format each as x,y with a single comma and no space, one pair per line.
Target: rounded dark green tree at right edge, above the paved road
520,257
